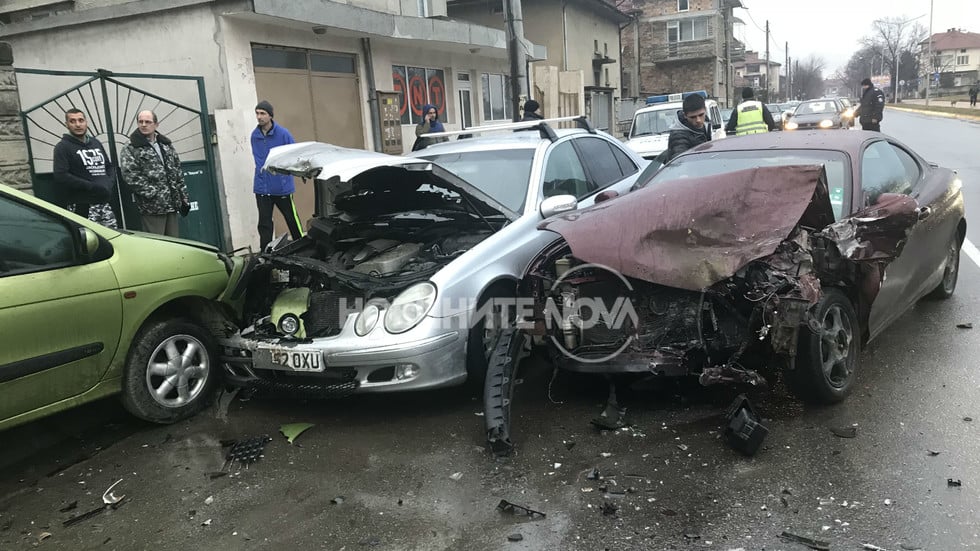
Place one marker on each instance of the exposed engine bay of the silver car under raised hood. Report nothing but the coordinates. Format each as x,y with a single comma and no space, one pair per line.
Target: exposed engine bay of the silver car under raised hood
339,266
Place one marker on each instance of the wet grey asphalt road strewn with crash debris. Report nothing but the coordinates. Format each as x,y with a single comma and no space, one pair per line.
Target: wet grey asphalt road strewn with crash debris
410,471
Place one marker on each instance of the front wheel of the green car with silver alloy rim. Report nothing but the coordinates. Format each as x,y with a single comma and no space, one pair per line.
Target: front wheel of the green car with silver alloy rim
165,352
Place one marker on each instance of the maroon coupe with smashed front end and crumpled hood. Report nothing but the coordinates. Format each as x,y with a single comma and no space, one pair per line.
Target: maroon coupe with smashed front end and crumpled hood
742,260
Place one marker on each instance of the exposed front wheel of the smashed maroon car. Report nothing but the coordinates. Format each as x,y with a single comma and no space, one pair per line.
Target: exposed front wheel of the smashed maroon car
827,360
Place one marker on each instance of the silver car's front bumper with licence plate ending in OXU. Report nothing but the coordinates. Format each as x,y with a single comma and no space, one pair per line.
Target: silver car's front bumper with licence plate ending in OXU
430,356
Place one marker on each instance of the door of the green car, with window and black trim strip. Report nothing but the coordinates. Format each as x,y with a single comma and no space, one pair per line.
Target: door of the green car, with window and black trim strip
60,311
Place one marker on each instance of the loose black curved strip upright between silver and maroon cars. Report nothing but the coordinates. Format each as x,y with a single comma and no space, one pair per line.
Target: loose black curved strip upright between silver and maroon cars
498,392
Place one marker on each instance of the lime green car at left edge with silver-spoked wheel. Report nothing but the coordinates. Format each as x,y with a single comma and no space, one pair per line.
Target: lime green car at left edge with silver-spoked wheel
87,311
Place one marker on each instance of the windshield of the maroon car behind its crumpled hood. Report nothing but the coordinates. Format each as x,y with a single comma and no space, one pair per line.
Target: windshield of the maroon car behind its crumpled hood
712,163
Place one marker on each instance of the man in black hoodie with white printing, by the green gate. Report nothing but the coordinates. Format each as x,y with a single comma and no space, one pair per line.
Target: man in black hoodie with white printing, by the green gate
83,172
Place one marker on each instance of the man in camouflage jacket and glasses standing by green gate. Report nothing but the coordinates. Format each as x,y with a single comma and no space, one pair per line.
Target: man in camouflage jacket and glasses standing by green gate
151,167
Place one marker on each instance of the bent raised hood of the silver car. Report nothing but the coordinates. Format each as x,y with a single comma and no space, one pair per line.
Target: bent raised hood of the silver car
366,183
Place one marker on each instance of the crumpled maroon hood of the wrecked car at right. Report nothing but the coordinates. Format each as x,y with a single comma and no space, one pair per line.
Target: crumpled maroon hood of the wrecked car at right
693,233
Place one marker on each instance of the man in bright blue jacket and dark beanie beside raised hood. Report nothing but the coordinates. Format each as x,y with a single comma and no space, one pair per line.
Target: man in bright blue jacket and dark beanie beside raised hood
272,190
